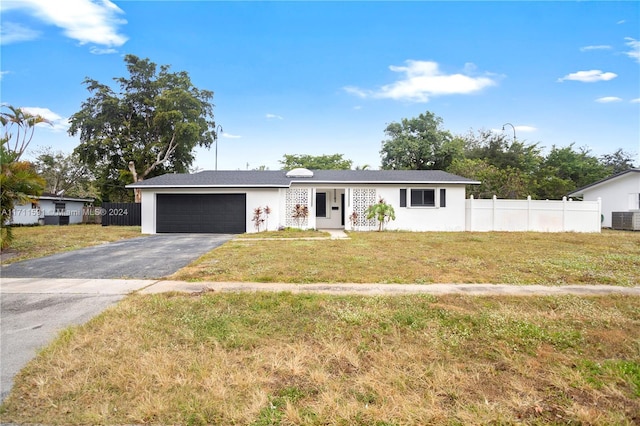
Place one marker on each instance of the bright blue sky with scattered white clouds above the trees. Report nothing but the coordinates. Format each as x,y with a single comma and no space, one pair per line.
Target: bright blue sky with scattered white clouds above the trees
327,77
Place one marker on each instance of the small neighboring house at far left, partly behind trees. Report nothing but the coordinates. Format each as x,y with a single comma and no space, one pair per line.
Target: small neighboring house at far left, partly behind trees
50,209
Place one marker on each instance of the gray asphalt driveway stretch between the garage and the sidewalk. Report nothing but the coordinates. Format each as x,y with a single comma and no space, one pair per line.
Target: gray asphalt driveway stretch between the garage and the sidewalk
149,257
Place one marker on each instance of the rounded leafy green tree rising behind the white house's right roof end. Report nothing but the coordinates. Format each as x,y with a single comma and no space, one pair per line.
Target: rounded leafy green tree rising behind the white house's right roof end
419,143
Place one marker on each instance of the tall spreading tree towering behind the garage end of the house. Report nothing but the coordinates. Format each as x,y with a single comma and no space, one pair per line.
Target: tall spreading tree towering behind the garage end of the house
149,125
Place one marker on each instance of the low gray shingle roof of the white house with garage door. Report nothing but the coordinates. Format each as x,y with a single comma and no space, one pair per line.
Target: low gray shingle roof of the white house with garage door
278,178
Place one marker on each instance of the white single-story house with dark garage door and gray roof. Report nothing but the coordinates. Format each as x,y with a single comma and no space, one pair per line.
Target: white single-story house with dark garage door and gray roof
224,201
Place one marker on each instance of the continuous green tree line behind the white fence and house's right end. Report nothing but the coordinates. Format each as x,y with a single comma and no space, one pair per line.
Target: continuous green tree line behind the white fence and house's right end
507,168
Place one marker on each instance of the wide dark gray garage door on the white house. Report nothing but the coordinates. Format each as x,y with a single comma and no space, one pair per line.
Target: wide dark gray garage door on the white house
201,213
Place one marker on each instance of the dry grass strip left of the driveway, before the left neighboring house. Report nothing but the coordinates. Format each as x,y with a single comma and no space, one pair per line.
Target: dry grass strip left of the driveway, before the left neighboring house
38,241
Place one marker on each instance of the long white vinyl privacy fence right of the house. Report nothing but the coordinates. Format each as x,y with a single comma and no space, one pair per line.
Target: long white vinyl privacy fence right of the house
533,215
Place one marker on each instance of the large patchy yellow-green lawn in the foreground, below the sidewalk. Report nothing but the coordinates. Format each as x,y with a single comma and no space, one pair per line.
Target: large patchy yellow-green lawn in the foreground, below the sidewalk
267,359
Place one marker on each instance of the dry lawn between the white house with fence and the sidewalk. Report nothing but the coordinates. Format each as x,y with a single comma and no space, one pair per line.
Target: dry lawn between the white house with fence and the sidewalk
434,257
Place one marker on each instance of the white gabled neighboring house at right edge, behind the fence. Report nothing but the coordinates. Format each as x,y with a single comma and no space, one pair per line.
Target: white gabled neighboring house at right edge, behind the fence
619,193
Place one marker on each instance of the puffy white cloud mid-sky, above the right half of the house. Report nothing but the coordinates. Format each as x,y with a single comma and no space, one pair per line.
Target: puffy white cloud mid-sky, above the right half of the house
422,80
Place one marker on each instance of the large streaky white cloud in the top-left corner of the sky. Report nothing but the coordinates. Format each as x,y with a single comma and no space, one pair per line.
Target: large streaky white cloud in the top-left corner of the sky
88,21
